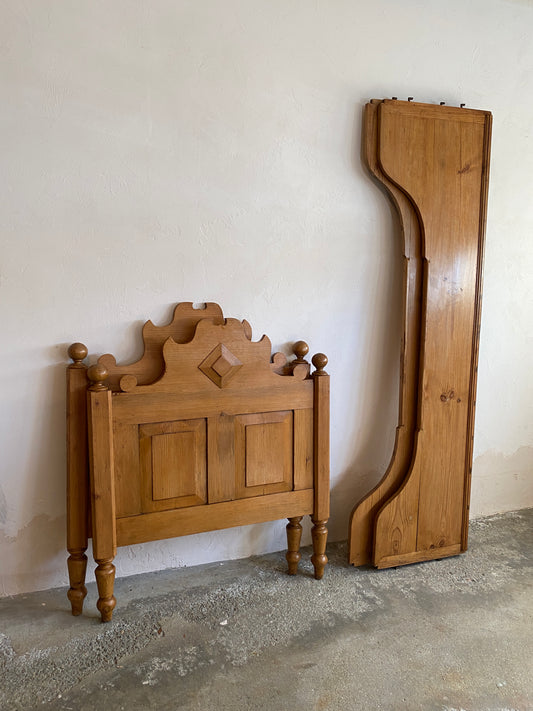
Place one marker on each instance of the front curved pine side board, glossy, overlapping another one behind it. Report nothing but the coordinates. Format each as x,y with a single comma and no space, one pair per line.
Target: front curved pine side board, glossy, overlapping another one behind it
439,156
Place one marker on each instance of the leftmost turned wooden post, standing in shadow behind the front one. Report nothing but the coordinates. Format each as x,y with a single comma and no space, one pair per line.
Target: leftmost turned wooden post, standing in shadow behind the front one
77,476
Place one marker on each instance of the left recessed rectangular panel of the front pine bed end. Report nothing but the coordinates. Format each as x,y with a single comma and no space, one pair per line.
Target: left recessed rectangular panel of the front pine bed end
173,464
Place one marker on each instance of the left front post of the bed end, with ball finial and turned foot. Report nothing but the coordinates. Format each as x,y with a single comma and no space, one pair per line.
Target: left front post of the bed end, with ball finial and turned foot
102,487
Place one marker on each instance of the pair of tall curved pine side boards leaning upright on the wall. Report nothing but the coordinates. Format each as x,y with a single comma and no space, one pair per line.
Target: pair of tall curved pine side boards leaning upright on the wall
433,162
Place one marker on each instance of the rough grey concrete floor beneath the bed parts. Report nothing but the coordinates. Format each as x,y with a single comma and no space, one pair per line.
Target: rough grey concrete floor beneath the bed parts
446,635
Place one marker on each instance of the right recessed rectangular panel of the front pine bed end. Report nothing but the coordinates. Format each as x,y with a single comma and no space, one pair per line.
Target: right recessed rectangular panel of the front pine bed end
264,453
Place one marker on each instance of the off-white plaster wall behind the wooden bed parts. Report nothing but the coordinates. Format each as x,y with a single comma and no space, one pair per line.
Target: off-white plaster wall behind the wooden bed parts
153,152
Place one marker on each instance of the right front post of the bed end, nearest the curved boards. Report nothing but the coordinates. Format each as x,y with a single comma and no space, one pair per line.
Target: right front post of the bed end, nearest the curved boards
319,532
